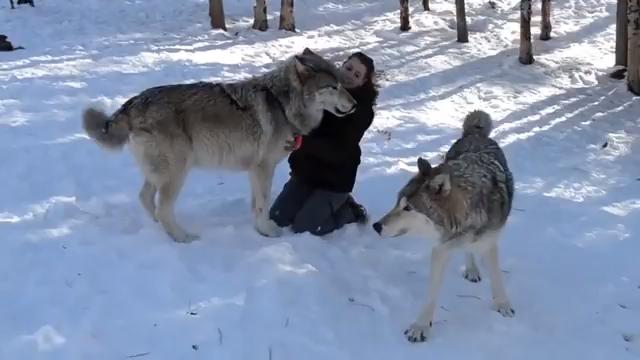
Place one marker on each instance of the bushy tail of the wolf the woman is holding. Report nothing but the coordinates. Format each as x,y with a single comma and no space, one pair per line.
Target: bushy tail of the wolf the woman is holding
109,133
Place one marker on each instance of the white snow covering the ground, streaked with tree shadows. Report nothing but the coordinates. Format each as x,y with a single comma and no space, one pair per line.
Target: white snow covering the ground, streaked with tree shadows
85,274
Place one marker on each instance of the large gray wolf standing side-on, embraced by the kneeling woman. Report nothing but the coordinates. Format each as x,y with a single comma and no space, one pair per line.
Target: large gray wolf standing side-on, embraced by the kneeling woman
241,126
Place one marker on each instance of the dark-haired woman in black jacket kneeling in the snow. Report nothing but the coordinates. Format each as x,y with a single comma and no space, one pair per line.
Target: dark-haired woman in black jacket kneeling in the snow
317,196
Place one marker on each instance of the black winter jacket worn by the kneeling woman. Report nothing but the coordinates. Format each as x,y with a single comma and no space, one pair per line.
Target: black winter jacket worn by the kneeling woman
330,155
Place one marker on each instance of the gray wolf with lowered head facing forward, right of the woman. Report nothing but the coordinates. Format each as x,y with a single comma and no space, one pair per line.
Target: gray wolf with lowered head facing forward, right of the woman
462,203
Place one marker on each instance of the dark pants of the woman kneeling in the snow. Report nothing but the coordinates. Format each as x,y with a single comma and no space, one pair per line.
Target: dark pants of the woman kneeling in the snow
306,208
